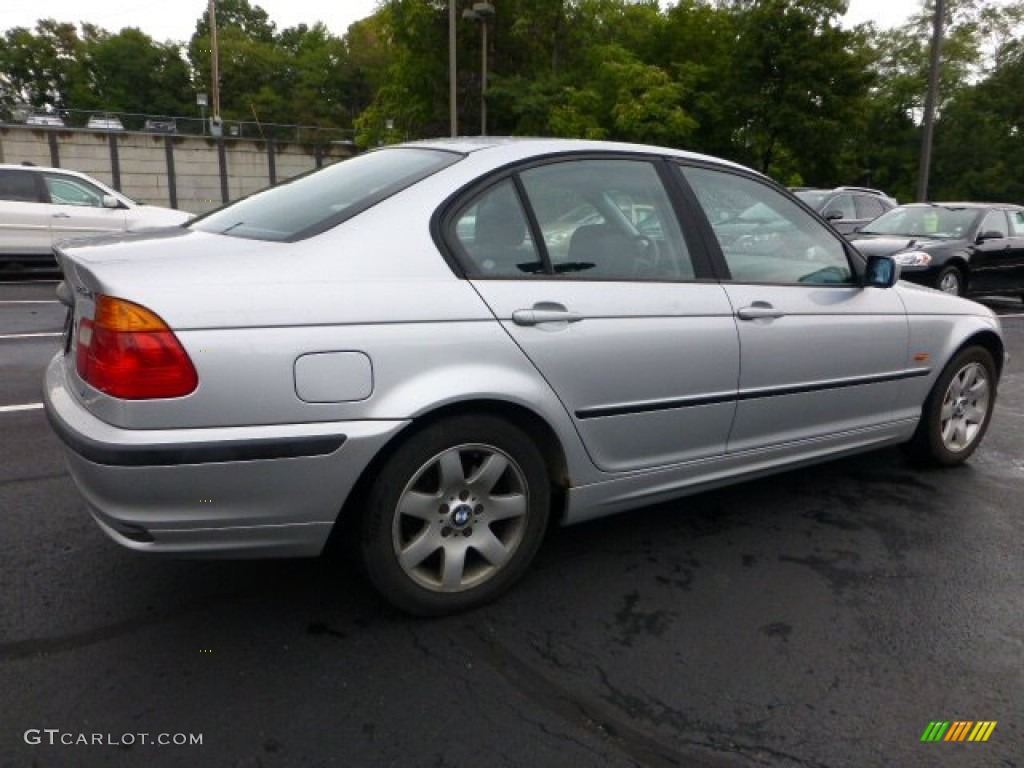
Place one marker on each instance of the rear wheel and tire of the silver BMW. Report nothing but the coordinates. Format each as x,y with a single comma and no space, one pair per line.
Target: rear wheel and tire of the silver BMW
456,516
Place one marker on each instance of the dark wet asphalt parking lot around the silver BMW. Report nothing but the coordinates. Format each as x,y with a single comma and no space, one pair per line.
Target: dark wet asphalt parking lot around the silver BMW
822,618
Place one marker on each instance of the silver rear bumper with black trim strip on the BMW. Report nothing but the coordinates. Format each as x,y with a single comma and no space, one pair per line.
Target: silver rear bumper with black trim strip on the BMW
261,491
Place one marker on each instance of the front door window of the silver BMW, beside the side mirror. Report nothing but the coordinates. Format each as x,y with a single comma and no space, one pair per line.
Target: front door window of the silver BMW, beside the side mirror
764,236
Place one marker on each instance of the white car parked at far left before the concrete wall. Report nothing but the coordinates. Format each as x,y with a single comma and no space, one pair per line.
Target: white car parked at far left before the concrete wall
40,207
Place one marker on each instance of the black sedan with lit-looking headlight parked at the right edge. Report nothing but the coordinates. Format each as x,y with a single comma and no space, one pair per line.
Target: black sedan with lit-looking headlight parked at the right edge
966,249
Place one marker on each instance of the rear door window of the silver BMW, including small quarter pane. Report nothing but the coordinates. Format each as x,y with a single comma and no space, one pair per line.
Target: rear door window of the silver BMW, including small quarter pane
595,220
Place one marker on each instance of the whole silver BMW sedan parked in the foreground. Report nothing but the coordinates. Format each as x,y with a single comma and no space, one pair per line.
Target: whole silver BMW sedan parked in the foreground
390,347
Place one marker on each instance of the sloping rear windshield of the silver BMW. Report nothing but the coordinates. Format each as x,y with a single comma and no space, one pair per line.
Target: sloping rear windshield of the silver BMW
316,202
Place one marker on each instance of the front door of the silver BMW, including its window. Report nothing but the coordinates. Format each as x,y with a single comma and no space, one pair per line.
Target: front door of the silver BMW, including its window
822,358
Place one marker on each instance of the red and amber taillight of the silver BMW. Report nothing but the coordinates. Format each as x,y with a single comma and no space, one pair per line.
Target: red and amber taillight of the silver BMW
130,353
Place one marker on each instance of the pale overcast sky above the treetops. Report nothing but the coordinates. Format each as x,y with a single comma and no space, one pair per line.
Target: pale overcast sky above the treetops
176,20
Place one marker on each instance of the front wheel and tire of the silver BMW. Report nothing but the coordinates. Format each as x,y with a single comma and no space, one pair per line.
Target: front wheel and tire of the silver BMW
958,411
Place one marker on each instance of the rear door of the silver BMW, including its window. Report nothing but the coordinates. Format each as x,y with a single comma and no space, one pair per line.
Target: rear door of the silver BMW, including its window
586,267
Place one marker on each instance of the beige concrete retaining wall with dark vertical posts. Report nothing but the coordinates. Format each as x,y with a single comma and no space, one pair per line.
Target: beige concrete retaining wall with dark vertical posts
193,174
